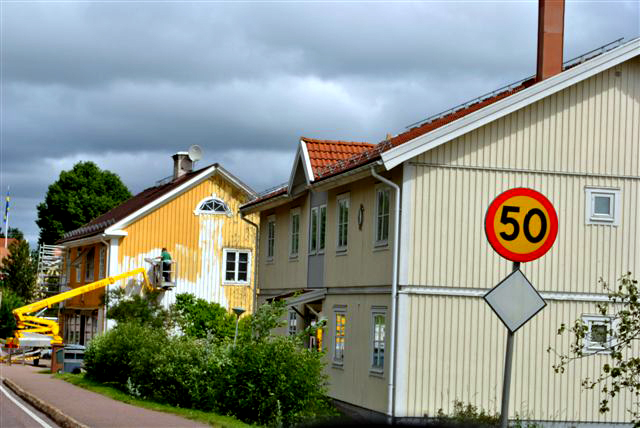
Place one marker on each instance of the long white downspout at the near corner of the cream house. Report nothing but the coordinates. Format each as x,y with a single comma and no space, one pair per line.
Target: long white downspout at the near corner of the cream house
394,296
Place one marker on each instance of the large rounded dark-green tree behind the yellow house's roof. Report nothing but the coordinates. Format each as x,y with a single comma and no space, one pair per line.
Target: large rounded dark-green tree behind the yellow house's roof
78,196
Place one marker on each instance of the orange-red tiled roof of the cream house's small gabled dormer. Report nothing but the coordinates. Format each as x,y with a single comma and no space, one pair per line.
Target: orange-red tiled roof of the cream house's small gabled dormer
323,153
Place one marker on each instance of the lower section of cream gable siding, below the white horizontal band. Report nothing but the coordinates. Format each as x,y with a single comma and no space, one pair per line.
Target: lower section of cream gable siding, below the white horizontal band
455,351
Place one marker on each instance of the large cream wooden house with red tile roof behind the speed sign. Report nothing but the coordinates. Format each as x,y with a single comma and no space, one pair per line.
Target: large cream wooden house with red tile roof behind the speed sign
330,232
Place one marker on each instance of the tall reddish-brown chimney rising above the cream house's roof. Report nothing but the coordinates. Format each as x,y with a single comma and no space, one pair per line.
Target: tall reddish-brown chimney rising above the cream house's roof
550,38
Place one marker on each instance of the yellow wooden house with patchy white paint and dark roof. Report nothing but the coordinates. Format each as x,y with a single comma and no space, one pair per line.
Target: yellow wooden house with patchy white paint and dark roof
194,215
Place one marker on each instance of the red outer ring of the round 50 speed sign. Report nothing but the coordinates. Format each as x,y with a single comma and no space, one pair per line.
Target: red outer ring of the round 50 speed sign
493,239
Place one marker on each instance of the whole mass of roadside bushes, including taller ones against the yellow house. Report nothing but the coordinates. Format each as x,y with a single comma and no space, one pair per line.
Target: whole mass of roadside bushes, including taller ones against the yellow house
186,358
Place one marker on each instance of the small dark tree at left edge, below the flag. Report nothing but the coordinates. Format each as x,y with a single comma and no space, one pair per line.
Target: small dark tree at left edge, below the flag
19,271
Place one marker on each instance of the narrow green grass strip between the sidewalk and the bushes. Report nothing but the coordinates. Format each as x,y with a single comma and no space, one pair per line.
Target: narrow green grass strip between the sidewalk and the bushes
212,419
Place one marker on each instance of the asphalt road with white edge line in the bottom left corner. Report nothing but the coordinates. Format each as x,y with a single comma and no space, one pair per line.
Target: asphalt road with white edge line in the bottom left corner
16,413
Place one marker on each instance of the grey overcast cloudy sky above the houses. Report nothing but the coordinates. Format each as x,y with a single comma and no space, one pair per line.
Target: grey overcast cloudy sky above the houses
127,84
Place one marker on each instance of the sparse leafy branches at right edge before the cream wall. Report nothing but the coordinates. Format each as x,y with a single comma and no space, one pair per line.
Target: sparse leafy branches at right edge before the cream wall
621,371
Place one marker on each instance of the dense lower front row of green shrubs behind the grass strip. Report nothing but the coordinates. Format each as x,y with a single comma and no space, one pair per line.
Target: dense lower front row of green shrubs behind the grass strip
266,380
